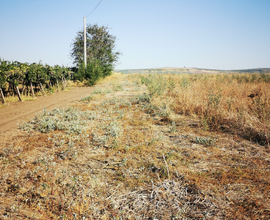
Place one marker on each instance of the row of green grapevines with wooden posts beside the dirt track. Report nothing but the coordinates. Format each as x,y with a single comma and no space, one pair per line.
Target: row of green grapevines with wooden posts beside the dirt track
21,78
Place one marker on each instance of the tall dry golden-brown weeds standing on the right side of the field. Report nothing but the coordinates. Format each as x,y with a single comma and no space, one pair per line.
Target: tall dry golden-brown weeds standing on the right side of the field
221,101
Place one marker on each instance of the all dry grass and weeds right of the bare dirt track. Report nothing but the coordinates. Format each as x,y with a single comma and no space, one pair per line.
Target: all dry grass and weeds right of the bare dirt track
196,151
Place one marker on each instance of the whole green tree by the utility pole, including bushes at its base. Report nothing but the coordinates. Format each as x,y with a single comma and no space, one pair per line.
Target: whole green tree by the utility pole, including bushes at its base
101,55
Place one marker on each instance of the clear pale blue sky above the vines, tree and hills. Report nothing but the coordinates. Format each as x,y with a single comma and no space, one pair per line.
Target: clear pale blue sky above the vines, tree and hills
216,34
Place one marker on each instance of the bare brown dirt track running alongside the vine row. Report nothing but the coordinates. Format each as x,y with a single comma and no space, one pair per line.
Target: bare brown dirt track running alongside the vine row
16,113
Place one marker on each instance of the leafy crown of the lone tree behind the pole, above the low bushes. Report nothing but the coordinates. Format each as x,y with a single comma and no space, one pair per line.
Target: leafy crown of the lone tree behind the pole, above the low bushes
100,48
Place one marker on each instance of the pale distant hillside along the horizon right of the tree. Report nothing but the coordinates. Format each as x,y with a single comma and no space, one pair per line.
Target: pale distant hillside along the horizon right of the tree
191,70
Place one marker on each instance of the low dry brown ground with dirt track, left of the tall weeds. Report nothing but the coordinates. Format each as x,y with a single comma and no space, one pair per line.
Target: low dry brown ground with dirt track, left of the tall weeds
135,160
